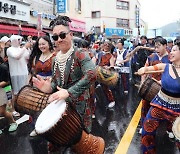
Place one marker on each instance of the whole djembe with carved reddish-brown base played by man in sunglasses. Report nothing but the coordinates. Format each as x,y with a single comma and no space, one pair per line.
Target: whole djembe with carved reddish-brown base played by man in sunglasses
60,124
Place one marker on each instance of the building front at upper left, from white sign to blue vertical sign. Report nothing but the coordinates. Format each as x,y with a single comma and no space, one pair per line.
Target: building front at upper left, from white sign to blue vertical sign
25,17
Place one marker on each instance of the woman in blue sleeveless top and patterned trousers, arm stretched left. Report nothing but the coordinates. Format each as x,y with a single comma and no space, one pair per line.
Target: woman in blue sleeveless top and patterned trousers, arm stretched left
166,104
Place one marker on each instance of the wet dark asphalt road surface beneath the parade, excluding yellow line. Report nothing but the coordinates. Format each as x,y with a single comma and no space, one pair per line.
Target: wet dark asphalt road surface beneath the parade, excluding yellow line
109,124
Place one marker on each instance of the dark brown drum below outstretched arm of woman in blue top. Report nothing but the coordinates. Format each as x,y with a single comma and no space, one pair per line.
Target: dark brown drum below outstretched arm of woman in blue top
149,89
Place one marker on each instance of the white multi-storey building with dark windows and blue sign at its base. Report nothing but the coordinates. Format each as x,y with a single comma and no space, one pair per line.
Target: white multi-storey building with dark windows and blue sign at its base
117,18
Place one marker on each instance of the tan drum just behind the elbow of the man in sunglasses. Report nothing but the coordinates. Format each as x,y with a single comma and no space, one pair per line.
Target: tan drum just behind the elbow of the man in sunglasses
106,76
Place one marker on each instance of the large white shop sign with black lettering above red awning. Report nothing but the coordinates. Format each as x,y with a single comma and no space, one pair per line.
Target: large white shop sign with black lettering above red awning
13,10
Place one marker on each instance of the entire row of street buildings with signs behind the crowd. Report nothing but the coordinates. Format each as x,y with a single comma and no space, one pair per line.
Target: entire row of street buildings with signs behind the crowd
115,18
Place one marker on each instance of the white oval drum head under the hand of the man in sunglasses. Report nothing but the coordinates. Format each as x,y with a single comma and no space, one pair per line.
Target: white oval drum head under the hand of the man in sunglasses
50,116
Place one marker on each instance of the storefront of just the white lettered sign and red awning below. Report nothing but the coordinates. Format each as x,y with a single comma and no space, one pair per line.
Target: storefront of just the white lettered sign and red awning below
15,17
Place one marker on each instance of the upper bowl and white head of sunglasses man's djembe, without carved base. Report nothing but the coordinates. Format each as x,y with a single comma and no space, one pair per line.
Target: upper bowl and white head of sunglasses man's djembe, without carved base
59,124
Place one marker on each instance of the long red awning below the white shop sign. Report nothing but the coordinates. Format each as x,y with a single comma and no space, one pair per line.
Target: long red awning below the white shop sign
13,29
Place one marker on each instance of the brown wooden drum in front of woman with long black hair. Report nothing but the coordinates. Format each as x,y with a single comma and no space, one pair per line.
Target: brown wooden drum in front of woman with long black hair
30,100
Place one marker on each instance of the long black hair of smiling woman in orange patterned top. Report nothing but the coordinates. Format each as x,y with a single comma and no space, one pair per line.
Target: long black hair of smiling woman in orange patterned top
36,52
